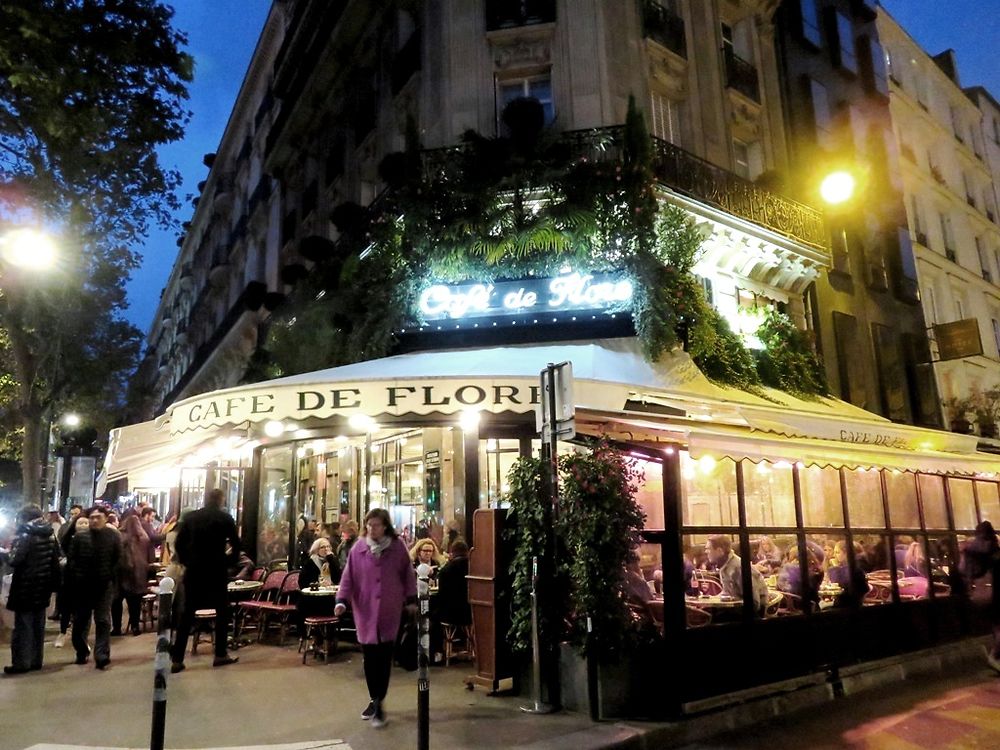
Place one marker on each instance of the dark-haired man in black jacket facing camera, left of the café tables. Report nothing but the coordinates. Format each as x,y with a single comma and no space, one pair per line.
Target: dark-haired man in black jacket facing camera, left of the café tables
92,565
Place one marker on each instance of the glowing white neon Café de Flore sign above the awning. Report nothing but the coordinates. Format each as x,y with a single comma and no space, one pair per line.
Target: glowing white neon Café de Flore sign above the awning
602,292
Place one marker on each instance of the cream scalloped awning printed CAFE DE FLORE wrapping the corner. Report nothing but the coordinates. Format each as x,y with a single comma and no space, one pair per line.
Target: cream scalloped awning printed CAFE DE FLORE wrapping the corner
615,389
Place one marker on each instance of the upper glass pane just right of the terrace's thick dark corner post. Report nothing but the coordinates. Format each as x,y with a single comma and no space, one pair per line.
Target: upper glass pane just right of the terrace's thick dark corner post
709,488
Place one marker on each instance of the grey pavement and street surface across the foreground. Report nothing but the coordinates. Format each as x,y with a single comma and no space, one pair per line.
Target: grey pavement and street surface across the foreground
944,698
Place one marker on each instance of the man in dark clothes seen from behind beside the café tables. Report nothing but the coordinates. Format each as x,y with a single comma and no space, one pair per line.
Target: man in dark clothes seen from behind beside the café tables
207,544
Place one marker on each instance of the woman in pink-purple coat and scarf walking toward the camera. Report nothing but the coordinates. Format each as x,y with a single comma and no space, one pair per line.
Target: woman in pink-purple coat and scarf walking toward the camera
378,584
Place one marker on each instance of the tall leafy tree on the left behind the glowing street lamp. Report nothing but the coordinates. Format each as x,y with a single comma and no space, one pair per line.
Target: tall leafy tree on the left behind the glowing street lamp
88,90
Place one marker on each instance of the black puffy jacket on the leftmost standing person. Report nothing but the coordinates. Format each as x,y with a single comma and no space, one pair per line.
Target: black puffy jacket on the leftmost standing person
34,556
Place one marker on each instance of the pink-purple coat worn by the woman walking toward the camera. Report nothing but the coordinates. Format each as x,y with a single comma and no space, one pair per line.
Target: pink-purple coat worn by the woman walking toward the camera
377,589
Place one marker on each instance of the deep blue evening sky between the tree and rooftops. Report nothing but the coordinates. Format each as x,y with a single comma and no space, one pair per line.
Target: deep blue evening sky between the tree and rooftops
222,35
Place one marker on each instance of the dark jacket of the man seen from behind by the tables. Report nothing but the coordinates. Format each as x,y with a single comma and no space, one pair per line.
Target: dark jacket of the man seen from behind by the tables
207,544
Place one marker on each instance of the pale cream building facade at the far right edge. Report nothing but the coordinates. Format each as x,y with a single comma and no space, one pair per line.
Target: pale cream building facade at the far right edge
951,209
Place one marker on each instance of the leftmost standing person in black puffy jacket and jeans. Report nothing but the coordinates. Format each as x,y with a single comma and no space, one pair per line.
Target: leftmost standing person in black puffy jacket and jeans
34,558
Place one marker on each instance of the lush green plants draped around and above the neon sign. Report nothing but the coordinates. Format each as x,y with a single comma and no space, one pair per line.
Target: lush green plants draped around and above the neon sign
526,204
